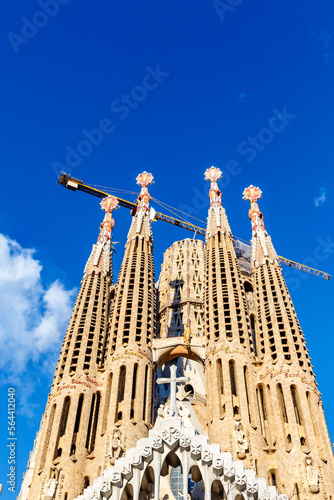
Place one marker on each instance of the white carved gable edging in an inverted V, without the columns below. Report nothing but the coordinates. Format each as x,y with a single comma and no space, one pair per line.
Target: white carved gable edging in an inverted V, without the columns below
210,461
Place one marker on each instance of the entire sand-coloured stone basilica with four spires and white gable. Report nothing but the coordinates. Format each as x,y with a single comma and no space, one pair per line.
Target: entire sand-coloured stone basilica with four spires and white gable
198,386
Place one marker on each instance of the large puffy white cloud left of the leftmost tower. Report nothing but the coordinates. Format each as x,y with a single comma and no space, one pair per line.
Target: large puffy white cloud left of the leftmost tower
33,319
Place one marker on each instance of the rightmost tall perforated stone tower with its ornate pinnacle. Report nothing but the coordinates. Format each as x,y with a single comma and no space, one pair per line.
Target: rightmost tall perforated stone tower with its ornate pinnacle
294,450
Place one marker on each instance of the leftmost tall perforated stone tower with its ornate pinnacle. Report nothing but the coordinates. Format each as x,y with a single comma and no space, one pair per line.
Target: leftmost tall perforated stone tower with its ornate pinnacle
69,430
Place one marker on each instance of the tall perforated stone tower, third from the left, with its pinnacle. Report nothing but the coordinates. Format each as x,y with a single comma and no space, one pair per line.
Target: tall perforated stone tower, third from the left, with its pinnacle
229,342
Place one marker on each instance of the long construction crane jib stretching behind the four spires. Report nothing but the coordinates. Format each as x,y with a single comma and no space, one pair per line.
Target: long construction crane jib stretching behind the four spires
74,184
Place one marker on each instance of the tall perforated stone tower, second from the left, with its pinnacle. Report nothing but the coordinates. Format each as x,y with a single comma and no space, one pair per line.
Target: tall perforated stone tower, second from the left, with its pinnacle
131,327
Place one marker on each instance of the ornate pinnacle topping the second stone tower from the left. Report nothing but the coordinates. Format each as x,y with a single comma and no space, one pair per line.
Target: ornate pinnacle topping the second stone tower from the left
141,225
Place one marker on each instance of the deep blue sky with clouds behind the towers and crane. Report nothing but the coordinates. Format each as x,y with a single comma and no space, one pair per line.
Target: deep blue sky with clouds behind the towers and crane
173,88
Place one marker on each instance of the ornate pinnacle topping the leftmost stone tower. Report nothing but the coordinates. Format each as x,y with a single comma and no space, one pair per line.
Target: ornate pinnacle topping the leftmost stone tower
100,257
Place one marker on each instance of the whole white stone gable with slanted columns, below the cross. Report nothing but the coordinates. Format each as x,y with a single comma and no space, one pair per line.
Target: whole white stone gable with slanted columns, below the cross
195,454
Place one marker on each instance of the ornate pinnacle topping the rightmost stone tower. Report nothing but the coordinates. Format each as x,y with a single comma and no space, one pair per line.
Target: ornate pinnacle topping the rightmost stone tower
262,247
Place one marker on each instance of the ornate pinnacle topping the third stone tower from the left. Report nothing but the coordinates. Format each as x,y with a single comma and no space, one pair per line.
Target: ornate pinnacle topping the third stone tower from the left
217,220
